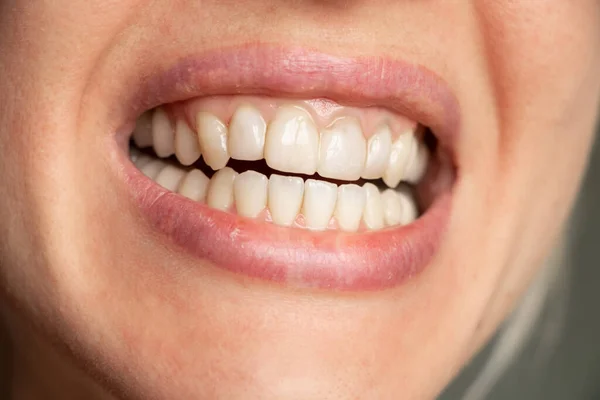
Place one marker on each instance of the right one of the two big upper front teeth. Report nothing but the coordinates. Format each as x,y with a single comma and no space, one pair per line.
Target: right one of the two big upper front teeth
343,150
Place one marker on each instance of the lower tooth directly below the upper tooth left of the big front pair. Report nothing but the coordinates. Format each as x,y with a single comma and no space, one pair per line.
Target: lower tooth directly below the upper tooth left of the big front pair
250,193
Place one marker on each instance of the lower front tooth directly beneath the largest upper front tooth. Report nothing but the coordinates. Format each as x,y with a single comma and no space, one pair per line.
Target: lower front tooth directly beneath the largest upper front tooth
285,198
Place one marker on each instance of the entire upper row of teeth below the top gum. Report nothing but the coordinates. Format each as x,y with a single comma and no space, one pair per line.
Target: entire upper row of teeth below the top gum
290,142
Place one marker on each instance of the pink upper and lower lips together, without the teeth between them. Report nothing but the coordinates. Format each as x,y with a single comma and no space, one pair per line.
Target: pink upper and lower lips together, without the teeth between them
330,260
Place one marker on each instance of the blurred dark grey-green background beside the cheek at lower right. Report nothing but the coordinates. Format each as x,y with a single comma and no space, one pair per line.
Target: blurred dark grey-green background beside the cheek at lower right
561,358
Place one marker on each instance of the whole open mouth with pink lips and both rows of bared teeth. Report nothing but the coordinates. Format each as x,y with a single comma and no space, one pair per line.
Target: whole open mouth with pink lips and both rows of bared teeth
295,167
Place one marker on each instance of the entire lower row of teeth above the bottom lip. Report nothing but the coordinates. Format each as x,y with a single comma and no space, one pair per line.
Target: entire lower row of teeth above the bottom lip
286,200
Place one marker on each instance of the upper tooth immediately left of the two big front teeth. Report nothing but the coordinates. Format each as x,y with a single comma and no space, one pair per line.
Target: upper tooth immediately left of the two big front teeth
247,131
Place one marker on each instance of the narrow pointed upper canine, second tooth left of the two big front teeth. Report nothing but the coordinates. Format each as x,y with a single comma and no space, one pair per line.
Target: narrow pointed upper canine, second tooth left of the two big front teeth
212,137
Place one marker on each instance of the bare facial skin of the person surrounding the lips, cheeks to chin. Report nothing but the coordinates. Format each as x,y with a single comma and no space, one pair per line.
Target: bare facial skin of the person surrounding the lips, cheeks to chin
88,286
